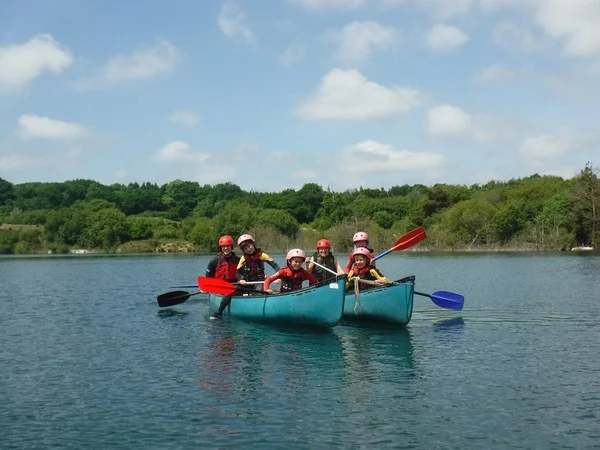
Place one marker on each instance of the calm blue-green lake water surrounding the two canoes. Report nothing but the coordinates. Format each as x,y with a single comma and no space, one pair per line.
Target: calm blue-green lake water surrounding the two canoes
87,359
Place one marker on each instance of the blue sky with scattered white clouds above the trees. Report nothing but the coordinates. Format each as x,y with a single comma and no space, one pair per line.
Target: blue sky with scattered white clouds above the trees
273,94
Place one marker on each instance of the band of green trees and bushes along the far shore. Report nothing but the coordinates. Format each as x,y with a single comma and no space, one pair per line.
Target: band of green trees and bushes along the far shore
540,213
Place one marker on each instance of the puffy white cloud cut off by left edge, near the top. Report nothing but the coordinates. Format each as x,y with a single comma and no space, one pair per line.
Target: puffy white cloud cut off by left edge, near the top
22,63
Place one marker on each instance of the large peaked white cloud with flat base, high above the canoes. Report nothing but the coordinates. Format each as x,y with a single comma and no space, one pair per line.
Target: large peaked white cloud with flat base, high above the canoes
347,94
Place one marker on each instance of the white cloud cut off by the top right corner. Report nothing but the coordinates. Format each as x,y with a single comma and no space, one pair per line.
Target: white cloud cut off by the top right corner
576,21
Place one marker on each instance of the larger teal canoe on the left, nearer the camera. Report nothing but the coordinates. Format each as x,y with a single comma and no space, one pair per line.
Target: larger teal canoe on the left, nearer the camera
319,305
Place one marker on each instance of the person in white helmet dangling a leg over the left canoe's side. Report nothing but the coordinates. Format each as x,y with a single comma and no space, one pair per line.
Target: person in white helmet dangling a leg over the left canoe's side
250,267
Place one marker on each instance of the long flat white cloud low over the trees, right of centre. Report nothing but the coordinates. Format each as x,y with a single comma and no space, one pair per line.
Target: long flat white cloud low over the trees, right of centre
374,157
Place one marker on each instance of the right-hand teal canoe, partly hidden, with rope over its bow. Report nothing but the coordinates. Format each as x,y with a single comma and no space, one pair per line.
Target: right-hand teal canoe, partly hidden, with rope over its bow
391,303
